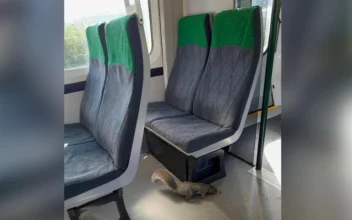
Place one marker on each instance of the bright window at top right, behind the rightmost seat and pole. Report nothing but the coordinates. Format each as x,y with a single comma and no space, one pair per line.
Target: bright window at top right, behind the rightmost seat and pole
266,6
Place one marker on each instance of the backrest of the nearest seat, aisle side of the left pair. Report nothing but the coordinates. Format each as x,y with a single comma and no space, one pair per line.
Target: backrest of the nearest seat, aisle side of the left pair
118,113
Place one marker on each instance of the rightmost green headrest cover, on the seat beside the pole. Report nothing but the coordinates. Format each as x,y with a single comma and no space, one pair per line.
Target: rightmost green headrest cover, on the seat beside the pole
234,27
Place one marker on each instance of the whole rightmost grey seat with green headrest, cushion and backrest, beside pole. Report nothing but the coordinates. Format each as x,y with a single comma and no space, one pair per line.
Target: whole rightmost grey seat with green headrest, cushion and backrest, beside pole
224,93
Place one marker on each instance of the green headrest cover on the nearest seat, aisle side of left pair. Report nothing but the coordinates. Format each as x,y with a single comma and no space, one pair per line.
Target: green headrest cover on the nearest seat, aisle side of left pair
118,43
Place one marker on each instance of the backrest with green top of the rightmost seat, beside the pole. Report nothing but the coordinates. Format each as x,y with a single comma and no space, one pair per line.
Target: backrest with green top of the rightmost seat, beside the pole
234,56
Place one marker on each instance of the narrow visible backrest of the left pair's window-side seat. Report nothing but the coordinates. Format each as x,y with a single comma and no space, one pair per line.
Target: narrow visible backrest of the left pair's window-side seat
96,77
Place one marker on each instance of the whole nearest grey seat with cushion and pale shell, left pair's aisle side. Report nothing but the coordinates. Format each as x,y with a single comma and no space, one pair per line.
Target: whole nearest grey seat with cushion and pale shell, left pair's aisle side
108,163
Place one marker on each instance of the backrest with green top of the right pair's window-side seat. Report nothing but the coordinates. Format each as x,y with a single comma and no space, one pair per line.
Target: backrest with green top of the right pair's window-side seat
191,56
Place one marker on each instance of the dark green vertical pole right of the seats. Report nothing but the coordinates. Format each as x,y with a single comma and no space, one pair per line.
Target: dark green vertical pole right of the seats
267,83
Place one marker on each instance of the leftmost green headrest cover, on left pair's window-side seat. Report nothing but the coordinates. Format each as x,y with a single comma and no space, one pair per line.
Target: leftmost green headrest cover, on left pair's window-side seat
94,44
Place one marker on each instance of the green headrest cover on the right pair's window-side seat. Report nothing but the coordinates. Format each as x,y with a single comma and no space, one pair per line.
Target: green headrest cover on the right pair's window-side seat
191,30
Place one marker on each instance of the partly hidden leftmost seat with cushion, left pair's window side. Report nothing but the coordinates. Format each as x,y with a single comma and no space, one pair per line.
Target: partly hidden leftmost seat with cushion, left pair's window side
82,132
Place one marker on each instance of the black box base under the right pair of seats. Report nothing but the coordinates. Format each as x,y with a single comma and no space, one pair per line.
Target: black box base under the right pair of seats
205,169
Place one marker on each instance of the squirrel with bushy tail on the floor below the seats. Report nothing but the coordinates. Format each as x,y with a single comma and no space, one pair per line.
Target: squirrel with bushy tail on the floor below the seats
186,189
